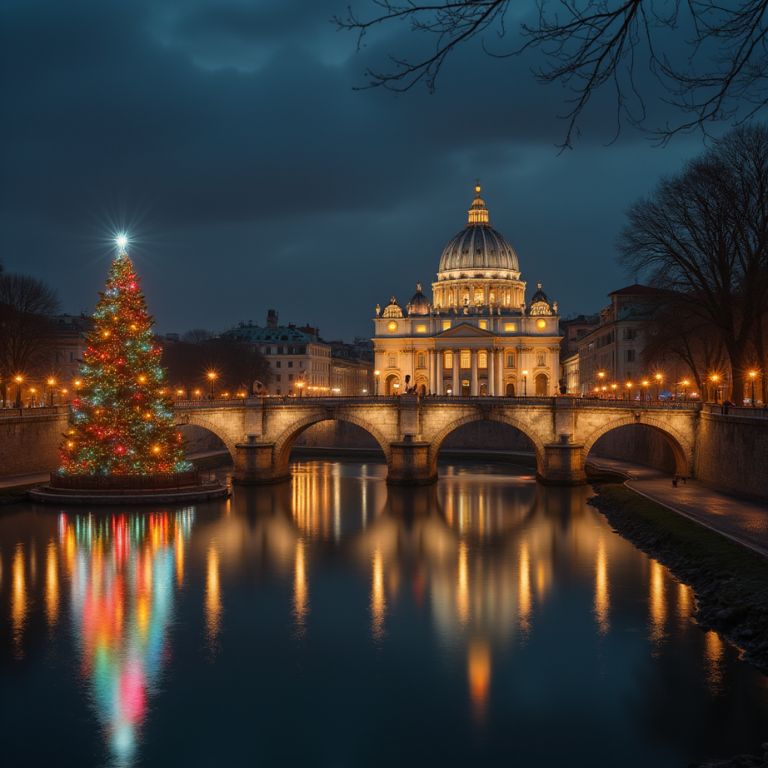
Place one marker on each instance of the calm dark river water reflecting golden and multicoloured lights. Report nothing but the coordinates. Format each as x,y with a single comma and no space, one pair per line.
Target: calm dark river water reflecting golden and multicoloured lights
332,621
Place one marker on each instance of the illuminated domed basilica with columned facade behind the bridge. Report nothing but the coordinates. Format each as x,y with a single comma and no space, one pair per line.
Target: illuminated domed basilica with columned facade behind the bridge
477,336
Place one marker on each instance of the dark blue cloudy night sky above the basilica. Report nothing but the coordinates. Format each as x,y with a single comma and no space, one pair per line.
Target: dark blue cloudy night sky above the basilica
228,139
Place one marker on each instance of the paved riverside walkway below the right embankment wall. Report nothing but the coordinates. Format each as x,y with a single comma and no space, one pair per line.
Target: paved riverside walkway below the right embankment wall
742,520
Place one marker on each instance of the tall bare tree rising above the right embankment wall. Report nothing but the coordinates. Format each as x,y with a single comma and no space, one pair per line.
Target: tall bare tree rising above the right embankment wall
704,235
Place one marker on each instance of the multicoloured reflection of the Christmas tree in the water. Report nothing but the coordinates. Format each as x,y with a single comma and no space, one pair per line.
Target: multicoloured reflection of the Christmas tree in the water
121,570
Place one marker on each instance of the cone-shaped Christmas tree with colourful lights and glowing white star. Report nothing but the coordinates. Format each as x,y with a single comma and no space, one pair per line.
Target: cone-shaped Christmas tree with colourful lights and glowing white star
122,421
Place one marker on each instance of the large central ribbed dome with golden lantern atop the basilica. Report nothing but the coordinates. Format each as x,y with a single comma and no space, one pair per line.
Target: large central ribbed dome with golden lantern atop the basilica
478,250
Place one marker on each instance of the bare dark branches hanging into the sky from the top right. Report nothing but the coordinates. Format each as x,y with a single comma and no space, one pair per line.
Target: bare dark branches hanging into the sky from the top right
709,57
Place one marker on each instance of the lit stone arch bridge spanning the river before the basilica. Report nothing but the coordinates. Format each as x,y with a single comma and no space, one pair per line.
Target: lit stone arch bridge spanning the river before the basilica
259,433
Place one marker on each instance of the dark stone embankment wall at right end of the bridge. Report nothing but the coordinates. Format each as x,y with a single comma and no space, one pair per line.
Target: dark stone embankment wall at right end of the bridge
732,453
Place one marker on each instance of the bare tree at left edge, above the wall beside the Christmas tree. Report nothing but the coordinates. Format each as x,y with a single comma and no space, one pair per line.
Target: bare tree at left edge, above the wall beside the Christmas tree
26,305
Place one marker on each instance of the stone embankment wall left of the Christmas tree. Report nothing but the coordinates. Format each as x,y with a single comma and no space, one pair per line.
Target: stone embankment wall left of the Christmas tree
30,440
